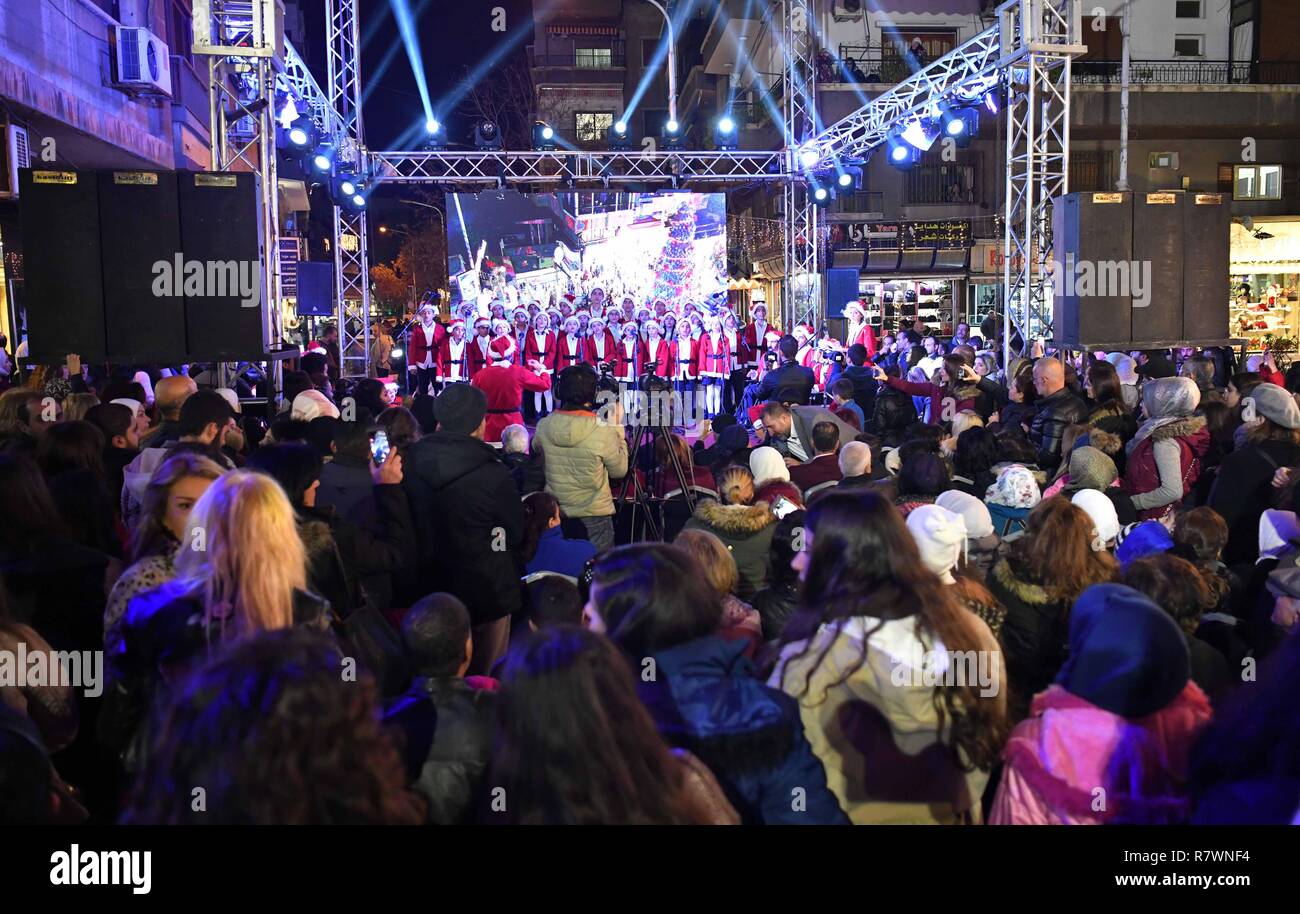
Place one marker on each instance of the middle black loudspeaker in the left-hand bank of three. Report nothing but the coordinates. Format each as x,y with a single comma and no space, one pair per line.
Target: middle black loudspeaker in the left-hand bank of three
140,231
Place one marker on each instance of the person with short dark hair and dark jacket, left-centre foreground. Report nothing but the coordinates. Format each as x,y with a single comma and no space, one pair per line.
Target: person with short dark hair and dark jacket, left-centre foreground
447,722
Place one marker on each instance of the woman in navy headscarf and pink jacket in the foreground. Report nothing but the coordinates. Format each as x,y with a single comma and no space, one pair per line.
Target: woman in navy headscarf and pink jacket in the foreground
1110,740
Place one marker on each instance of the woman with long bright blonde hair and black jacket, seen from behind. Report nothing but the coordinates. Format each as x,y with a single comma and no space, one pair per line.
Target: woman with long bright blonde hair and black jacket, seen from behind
241,570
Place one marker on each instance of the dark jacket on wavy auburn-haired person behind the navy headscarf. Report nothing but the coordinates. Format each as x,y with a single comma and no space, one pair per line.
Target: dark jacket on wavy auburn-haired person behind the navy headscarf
1035,636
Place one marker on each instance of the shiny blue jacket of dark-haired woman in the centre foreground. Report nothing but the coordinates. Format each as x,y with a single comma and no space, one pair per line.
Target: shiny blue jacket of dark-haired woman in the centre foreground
705,699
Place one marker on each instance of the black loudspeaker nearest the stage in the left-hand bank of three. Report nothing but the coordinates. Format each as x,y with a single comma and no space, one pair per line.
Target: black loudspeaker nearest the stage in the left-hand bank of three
222,235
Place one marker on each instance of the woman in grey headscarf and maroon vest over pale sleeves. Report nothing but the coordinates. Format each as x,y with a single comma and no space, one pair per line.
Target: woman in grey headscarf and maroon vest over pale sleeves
1165,456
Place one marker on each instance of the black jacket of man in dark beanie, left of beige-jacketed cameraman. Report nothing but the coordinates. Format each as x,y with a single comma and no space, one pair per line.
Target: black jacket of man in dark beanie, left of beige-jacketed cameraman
466,505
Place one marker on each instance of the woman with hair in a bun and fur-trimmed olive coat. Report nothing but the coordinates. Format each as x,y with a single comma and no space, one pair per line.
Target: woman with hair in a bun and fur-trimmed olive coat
744,527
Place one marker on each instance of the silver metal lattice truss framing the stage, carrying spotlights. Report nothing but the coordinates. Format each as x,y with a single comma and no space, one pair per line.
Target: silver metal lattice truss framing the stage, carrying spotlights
1029,53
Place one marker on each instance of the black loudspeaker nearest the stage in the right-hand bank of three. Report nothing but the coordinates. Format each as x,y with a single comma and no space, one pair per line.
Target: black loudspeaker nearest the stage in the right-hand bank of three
1091,232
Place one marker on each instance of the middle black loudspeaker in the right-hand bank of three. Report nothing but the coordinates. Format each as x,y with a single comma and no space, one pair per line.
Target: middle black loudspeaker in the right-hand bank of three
1159,258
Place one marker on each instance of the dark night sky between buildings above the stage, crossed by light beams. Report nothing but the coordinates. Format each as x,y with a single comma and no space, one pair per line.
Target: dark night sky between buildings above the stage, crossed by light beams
454,34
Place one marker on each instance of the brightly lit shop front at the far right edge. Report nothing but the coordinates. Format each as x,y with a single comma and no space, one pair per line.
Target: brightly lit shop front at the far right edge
1266,285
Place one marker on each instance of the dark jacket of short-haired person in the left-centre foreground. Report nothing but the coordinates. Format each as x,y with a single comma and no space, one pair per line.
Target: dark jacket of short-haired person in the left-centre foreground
447,731
